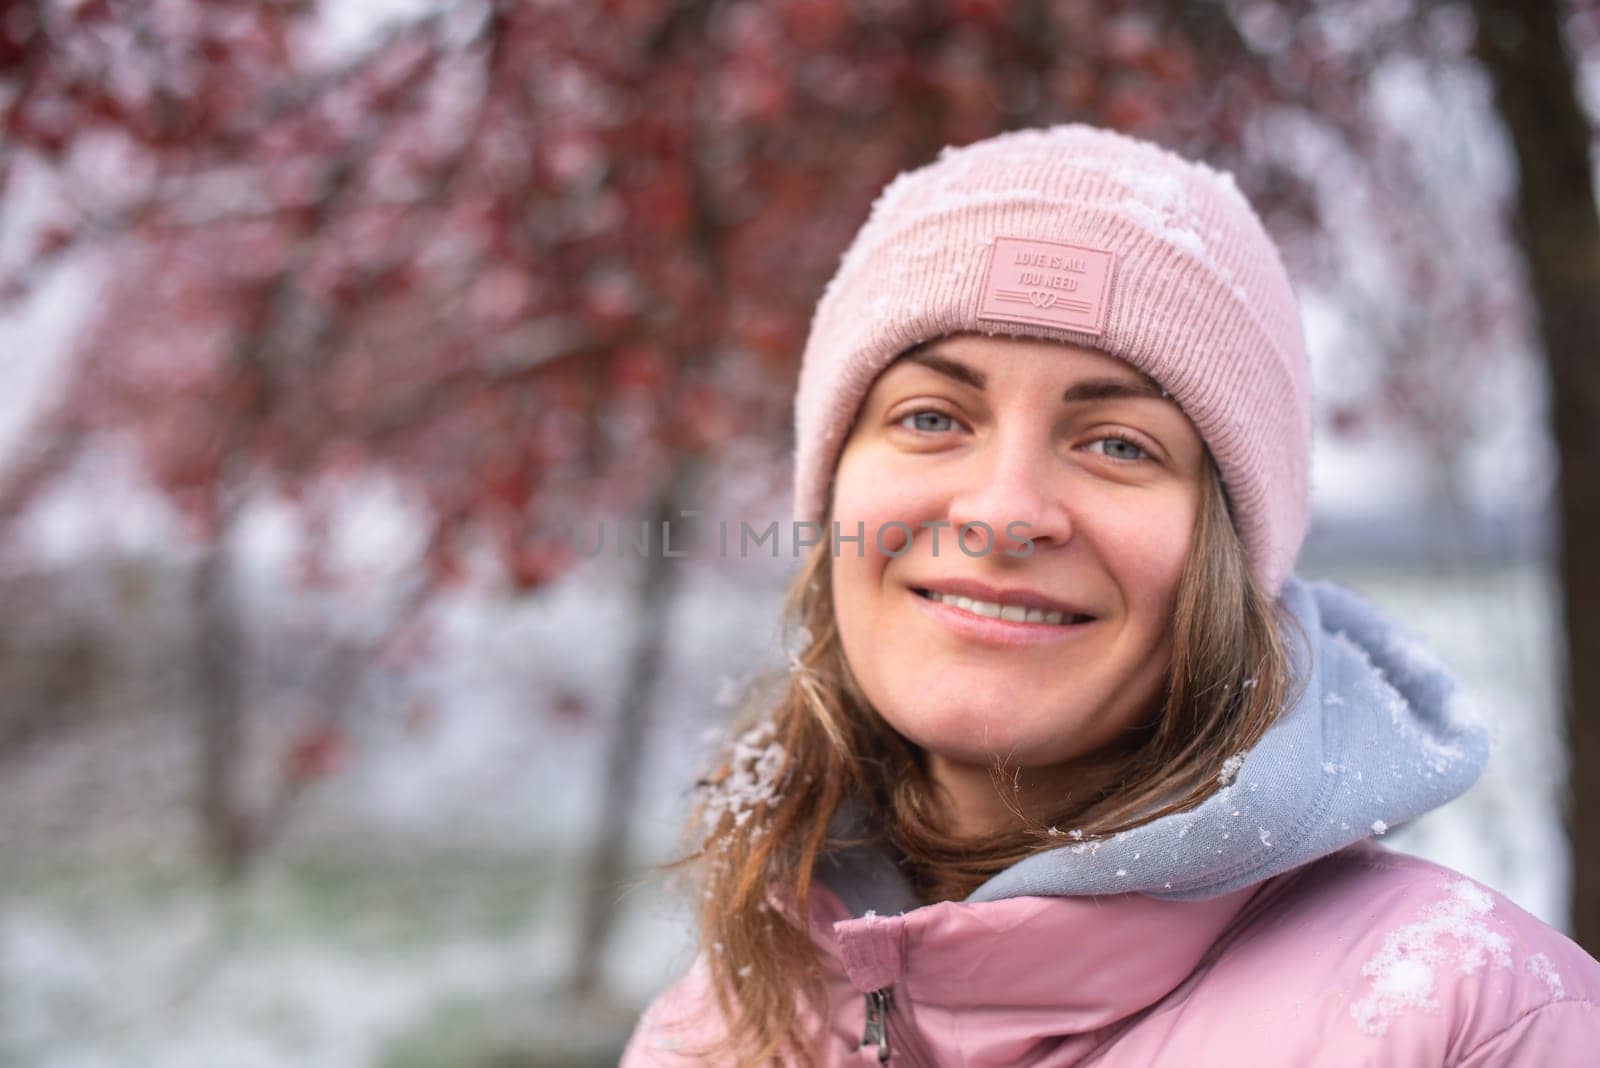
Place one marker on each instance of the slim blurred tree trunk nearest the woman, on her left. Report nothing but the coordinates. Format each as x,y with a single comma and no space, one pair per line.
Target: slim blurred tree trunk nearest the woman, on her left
618,786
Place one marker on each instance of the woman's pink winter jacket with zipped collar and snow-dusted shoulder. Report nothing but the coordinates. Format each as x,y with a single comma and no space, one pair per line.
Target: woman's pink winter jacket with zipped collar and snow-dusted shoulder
1362,958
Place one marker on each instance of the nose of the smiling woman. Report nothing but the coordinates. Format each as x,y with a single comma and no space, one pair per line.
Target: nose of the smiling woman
1017,492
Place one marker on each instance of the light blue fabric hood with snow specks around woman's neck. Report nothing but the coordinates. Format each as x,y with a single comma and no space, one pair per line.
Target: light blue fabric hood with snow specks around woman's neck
1382,735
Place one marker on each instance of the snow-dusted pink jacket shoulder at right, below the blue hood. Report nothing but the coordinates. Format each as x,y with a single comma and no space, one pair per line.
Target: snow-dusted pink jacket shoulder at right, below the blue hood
1378,958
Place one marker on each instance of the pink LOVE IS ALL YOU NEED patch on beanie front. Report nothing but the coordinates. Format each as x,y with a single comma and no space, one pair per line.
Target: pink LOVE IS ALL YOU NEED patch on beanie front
1047,282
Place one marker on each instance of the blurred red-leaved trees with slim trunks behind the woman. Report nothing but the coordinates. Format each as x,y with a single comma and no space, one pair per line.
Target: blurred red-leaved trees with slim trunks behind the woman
540,261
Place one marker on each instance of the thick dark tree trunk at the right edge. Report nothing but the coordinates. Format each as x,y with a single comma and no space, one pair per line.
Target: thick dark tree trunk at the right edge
1521,46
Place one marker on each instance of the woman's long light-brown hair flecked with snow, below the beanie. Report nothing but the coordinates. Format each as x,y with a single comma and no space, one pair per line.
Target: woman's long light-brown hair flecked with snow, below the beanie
799,754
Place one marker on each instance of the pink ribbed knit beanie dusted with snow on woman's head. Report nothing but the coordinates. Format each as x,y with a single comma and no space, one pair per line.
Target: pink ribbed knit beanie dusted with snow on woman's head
1092,237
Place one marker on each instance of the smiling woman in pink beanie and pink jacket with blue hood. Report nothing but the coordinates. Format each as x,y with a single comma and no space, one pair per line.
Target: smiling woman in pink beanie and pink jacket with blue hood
1071,768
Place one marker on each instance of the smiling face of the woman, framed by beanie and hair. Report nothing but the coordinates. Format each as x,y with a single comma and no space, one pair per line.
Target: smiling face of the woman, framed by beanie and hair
1052,445
